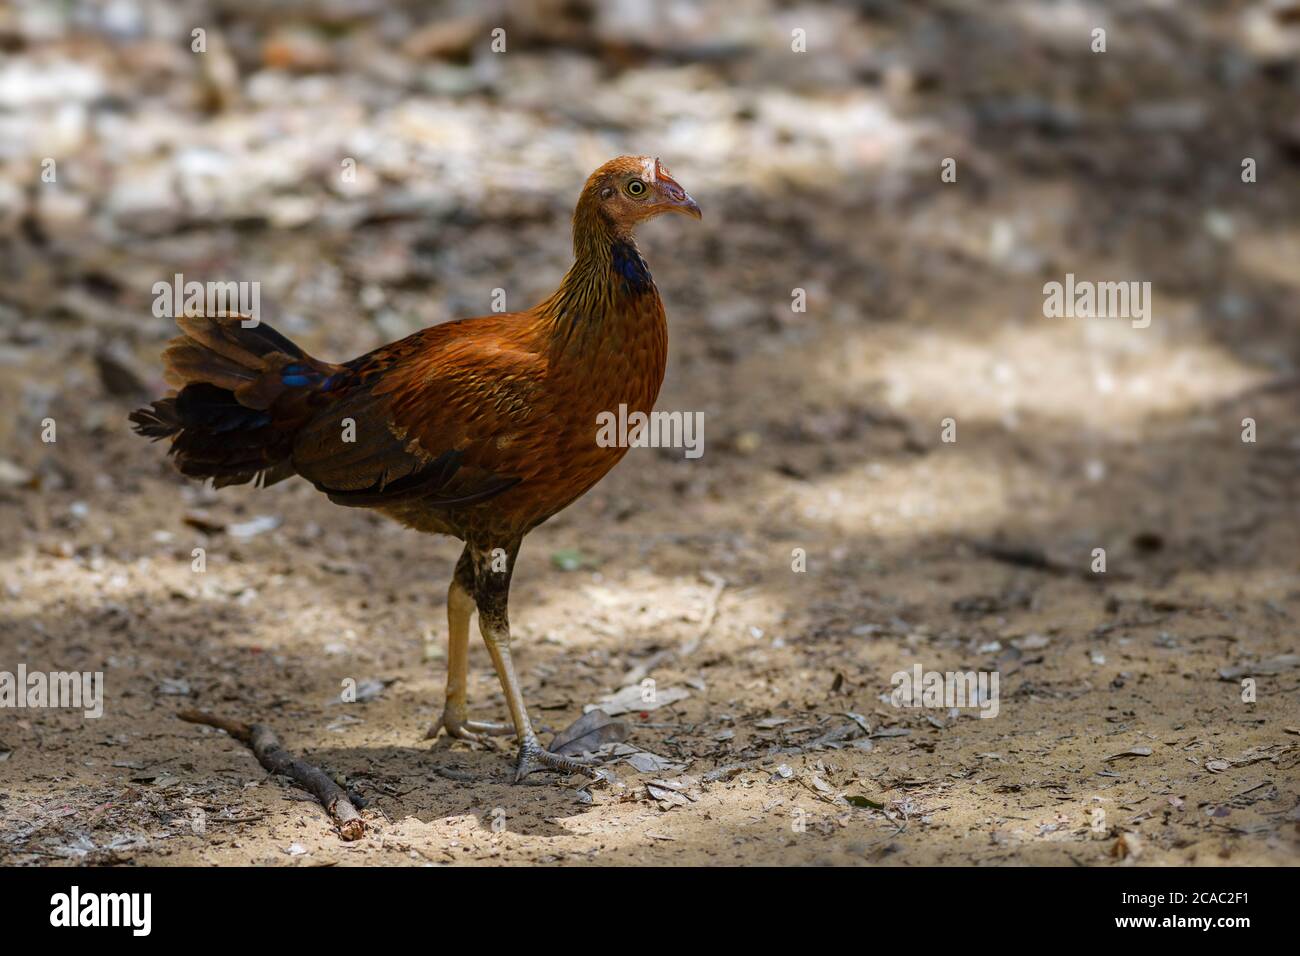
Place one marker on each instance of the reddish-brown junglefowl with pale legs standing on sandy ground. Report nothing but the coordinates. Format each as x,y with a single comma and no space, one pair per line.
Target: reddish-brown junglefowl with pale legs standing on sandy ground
480,429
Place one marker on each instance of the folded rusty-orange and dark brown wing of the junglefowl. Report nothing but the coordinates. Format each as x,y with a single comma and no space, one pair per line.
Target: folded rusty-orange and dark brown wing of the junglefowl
432,417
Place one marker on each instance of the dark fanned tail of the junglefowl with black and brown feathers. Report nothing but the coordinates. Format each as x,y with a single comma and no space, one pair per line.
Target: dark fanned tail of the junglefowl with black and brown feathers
242,395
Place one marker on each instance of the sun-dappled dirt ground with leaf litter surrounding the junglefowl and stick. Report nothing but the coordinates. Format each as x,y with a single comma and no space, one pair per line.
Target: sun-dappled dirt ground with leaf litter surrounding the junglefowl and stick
1125,734
